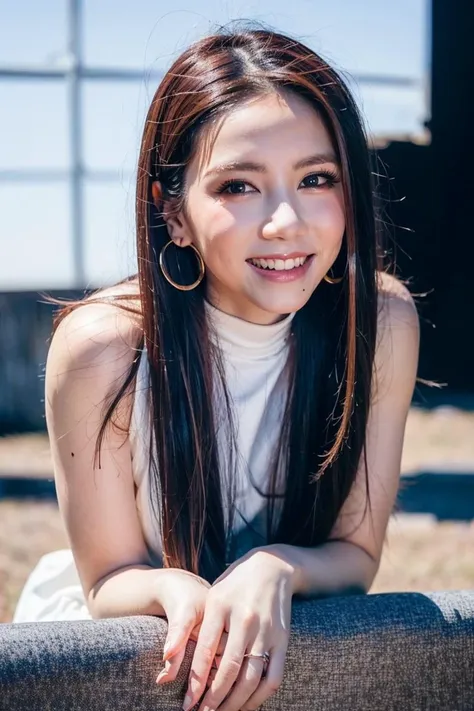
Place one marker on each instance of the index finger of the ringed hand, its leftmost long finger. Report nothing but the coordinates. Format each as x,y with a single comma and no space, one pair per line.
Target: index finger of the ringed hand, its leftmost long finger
210,634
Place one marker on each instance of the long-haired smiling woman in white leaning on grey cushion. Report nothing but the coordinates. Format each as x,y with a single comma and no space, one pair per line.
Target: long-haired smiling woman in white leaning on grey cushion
227,425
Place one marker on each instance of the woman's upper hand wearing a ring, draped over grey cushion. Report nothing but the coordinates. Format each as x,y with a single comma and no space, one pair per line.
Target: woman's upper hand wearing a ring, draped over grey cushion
251,602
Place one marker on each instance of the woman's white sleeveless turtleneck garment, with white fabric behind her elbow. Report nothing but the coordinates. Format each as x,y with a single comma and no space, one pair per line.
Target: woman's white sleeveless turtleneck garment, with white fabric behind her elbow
254,358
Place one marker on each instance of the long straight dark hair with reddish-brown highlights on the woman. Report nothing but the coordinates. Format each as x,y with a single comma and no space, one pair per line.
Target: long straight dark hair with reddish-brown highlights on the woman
333,335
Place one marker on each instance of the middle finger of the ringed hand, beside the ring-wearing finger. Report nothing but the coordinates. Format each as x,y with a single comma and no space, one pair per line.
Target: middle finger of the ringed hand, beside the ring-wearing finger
229,668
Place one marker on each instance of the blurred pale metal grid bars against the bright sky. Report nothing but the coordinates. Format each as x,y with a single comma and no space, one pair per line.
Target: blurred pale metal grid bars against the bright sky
73,71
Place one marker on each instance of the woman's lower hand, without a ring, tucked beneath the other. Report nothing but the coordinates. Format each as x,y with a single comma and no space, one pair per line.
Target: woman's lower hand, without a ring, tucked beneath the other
183,597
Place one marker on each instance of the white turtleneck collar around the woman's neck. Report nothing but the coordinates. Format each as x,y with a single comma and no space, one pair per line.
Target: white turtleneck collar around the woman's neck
244,338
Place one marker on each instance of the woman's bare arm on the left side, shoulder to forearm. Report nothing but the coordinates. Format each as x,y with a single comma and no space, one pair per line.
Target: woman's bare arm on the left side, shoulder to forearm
89,356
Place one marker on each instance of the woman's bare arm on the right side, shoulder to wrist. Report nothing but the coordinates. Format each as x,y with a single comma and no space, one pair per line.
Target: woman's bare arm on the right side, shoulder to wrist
351,557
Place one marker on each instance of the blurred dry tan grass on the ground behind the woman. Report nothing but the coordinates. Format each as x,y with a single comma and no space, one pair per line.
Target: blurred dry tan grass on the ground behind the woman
419,553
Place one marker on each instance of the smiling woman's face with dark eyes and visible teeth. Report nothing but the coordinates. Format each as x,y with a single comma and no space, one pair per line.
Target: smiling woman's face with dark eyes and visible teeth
281,213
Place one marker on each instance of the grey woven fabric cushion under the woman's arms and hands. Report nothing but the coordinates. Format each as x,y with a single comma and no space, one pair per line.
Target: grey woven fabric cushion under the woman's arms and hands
356,652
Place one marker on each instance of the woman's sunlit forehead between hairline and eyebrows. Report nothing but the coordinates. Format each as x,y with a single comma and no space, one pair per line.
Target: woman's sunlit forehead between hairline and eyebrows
282,122
